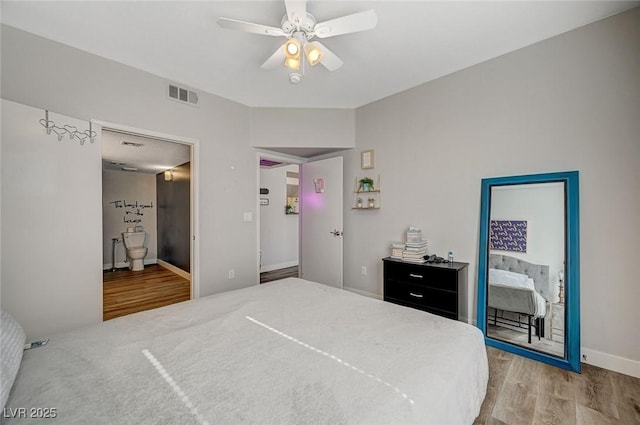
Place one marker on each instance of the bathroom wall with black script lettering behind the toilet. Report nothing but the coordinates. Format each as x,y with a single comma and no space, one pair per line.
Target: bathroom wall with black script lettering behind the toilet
128,199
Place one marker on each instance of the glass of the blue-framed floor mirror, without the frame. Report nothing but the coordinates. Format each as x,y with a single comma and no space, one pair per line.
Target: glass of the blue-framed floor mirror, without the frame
525,264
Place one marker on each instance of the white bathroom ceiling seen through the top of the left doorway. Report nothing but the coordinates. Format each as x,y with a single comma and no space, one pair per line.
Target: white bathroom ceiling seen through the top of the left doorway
153,157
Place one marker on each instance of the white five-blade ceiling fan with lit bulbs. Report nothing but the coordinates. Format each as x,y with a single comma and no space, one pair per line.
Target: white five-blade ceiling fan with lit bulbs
300,27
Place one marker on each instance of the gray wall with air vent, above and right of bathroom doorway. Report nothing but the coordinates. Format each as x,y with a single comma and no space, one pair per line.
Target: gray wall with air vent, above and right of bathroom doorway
45,74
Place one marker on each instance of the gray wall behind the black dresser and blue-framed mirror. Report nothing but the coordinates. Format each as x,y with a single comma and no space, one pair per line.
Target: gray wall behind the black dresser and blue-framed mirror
568,103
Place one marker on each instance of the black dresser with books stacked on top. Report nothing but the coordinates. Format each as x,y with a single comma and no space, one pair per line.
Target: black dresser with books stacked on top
438,288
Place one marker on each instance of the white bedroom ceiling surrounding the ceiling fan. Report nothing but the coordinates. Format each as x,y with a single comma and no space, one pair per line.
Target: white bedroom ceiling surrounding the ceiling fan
414,42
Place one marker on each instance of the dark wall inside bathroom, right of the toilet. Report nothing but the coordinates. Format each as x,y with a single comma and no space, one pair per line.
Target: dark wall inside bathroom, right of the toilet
174,217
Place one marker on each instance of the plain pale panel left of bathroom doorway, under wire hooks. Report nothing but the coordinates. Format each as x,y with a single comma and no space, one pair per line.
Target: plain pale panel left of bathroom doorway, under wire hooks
51,224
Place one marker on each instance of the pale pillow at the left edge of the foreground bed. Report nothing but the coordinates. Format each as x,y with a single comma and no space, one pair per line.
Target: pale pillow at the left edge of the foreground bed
12,339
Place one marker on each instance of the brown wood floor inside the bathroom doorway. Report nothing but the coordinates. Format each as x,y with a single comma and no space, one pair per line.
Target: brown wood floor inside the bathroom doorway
126,292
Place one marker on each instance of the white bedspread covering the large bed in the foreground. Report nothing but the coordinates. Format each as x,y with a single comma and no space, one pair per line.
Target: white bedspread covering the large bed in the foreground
288,352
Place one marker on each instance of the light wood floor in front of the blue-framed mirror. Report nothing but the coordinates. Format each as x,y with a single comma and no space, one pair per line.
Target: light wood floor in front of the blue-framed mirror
523,391
